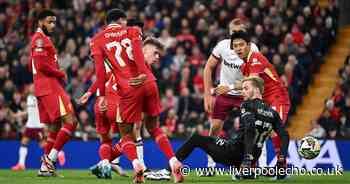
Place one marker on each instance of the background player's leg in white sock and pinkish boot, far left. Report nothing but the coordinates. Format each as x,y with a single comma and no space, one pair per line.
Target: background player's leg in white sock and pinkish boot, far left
22,153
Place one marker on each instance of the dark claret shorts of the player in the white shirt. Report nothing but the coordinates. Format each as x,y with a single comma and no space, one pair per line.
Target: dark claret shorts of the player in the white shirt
224,104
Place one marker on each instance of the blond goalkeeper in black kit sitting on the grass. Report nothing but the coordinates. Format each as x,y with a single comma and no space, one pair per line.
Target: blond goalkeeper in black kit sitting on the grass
243,150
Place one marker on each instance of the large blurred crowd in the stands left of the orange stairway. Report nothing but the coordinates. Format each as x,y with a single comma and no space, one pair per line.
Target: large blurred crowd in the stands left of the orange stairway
294,35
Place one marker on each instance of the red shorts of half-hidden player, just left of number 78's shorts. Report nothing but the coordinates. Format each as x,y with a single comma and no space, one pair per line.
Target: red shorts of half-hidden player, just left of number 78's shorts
107,121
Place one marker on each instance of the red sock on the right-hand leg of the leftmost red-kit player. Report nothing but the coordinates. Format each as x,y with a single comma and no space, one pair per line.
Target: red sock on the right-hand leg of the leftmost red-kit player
63,135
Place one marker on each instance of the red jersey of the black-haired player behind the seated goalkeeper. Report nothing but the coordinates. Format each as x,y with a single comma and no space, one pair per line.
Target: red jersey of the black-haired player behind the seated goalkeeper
273,86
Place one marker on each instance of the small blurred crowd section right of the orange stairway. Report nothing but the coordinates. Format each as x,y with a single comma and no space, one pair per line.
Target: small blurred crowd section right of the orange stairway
334,122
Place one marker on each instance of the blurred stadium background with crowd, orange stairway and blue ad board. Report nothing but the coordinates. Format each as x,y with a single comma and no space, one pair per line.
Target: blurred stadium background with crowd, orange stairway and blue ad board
308,41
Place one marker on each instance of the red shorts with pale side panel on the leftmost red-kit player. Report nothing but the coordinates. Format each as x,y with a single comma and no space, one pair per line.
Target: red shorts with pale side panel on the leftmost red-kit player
54,106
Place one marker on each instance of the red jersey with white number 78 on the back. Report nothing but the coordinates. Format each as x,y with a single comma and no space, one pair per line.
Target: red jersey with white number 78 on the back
122,47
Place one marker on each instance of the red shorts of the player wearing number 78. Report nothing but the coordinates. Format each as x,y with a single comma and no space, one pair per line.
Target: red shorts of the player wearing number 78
134,101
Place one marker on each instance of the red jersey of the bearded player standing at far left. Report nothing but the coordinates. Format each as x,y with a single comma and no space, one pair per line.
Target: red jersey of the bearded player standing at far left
43,64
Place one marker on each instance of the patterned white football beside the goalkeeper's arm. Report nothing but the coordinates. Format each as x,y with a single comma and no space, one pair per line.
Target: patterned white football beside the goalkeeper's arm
309,148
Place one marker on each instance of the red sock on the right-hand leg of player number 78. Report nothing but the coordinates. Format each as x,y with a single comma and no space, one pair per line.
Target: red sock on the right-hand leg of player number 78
162,141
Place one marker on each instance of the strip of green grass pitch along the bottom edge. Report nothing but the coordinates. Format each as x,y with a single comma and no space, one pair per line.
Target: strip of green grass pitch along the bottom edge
84,177
